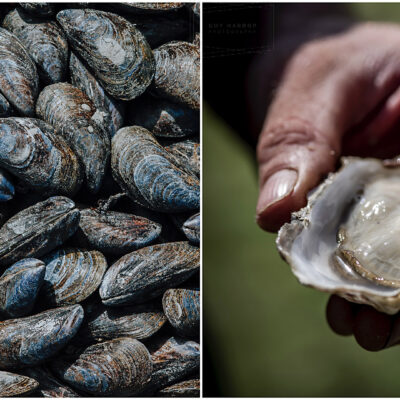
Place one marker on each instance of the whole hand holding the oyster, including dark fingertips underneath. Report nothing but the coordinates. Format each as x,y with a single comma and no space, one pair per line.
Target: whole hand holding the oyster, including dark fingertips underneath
338,96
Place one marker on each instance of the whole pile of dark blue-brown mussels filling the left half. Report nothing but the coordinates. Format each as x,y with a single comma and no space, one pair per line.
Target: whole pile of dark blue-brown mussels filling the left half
99,199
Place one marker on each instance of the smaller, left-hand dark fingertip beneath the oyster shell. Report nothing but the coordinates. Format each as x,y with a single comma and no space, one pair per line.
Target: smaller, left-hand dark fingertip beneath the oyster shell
340,315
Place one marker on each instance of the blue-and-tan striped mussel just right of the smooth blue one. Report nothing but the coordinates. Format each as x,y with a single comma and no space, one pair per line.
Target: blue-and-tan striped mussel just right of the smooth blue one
72,275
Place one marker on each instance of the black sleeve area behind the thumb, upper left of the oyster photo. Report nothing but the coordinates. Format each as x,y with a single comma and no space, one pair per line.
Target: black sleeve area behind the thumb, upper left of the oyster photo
239,39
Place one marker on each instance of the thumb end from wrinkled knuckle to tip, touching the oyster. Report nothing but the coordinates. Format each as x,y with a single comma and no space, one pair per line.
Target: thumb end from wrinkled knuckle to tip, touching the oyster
292,160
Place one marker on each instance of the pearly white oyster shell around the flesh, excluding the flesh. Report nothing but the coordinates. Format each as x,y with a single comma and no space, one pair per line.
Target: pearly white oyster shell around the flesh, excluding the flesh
309,250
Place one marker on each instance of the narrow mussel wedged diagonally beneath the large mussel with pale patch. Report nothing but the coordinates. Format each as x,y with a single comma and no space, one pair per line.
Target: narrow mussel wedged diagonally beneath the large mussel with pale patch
84,80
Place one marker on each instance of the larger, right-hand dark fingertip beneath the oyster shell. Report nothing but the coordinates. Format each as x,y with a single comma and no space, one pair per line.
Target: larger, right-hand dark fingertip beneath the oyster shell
372,329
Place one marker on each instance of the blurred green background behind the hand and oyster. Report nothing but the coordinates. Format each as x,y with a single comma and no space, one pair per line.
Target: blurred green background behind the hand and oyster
267,334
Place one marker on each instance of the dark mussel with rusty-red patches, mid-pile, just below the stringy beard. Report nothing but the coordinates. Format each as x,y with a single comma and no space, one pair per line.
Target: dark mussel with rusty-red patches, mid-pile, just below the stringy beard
115,233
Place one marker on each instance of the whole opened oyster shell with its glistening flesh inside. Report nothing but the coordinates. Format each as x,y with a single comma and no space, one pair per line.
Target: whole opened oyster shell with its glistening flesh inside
347,239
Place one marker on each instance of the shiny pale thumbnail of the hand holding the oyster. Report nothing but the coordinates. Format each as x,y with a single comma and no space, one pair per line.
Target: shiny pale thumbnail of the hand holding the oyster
277,187
